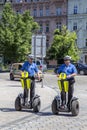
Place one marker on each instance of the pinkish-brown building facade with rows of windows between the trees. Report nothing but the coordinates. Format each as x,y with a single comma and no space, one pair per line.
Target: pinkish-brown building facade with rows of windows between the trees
50,14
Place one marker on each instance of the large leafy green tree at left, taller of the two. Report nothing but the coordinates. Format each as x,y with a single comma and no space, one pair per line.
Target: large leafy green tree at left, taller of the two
15,34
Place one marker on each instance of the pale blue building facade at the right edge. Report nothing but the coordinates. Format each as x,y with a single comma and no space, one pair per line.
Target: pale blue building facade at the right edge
77,21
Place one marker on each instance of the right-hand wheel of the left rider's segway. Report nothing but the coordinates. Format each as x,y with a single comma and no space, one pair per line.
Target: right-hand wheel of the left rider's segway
36,104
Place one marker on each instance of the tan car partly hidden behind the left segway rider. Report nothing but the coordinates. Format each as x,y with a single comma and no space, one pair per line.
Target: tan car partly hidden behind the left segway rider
15,71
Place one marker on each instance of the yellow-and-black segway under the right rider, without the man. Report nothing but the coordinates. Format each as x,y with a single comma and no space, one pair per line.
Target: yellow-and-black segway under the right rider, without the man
73,106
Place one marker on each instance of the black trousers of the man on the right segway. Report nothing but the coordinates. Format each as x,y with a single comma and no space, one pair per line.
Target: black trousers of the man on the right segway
70,94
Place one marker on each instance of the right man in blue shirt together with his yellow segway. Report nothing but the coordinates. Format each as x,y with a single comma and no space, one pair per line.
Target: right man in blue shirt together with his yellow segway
65,102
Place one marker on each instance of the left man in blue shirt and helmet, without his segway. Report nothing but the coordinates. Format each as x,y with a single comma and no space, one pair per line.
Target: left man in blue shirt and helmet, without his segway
30,67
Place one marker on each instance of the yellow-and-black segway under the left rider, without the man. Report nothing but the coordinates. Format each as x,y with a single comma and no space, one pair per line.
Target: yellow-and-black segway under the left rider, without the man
22,100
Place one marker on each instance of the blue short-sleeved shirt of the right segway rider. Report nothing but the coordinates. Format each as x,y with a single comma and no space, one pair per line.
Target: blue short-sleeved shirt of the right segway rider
70,69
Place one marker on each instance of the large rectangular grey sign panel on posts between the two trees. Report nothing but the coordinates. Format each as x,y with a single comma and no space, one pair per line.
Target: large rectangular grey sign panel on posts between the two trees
39,45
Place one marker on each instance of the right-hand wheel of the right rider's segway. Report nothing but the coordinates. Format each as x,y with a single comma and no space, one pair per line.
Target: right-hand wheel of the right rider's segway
75,108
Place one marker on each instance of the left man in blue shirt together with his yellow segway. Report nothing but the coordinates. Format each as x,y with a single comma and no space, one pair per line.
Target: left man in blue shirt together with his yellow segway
28,83
